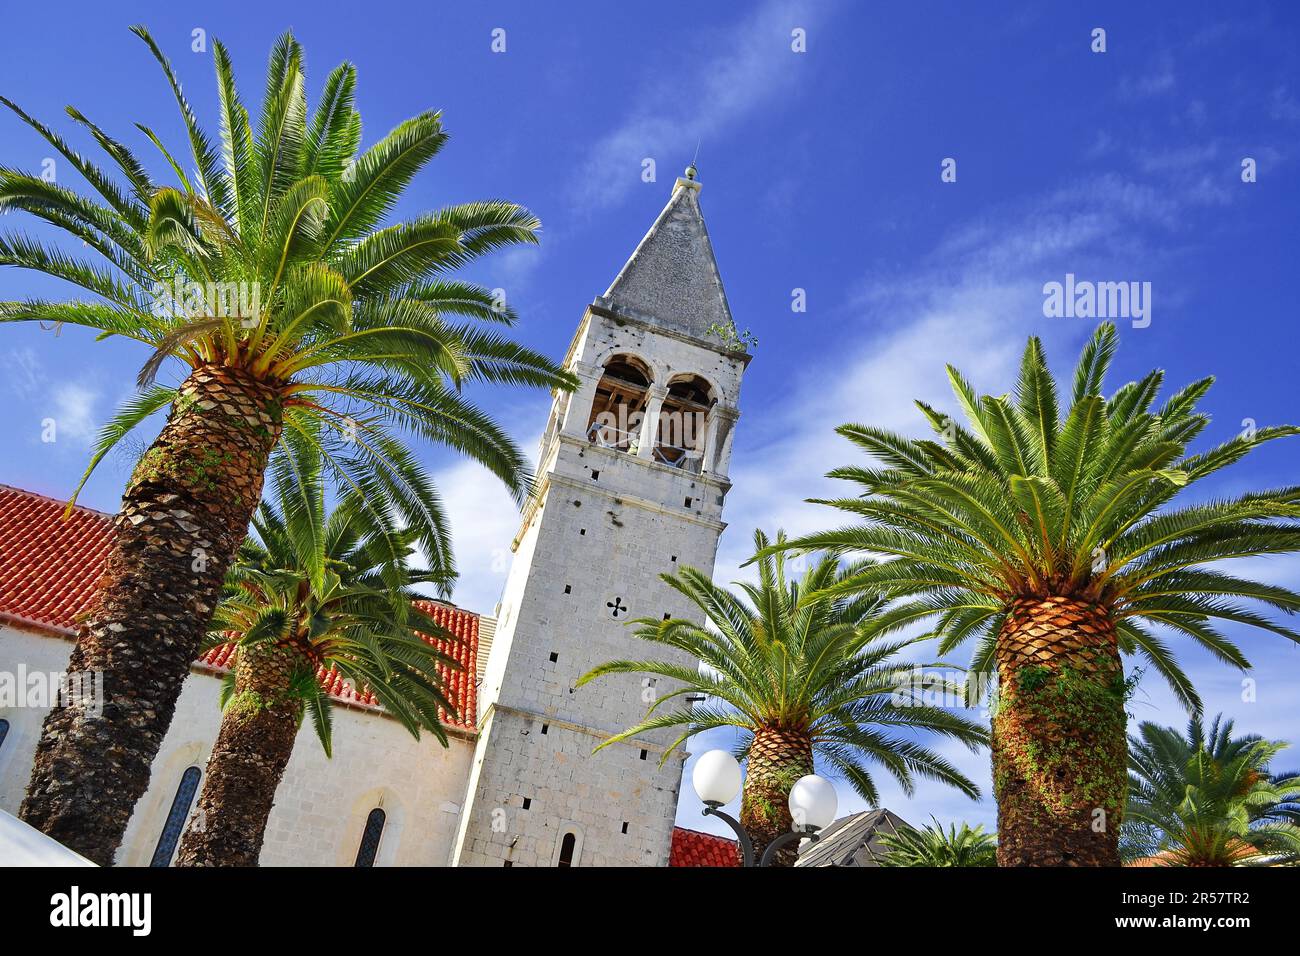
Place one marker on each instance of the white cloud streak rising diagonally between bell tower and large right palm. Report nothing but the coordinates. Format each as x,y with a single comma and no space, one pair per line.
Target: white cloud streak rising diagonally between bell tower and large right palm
972,304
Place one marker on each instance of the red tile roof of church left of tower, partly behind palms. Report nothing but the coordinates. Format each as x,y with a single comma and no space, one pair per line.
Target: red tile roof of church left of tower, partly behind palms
50,568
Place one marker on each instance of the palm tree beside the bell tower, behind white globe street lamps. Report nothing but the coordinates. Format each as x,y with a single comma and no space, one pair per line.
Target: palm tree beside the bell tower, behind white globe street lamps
799,680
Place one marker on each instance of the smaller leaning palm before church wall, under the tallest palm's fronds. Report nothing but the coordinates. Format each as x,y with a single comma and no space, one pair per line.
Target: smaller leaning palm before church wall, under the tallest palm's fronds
310,592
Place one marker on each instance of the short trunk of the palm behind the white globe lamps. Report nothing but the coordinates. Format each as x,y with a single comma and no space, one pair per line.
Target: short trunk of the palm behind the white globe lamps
777,760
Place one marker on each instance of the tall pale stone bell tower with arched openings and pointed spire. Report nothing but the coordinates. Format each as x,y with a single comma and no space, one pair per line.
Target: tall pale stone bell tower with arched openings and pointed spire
632,477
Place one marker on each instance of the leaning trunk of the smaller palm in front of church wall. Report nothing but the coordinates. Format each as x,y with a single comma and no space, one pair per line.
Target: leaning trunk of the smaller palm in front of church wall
249,760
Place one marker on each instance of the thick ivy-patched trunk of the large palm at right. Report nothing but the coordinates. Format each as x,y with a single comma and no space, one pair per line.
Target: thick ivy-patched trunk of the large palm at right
1059,736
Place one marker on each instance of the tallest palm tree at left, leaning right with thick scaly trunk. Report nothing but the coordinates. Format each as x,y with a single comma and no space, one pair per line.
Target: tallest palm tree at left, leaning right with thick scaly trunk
270,275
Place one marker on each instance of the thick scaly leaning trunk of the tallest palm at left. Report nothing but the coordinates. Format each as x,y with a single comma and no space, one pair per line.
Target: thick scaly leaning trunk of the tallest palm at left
184,516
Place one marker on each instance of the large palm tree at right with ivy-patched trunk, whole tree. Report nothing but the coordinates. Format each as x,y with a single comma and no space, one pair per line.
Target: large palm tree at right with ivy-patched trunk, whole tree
1046,540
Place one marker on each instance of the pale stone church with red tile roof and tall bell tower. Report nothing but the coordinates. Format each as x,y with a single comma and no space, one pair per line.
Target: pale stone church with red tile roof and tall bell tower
631,485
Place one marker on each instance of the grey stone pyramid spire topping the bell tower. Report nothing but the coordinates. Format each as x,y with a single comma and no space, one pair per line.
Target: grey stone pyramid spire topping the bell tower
671,279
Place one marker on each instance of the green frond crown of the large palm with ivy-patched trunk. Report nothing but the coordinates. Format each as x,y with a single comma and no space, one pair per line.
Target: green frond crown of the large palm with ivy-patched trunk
1035,501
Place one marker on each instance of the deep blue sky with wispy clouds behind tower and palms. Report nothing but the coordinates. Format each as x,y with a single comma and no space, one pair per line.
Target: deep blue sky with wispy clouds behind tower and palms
822,172
